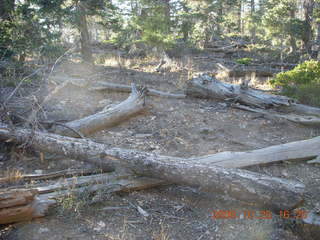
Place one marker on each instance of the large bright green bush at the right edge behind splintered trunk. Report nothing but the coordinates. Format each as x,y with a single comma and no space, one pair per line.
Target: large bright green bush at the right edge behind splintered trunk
301,83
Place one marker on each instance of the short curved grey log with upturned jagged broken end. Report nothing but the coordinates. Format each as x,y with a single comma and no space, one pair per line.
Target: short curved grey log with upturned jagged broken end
106,118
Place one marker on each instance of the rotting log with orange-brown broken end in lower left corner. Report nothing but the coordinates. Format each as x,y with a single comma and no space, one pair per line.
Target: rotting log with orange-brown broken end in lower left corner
26,204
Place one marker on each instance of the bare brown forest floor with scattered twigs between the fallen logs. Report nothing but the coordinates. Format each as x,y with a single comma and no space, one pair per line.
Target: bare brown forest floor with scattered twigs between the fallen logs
175,127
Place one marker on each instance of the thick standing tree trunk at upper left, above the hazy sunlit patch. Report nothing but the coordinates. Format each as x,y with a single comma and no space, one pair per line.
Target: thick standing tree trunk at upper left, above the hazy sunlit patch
84,33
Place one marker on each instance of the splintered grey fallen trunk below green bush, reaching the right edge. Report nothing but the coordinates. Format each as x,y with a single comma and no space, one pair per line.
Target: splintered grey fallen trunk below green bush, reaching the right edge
205,86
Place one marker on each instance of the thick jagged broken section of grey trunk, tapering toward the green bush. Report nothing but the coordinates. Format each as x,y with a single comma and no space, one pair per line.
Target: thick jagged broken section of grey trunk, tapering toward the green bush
205,86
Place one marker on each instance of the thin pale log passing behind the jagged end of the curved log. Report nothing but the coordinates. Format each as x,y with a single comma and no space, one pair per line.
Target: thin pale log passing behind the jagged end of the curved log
105,86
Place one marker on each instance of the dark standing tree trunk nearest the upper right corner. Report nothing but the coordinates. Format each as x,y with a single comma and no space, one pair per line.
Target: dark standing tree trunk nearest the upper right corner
307,12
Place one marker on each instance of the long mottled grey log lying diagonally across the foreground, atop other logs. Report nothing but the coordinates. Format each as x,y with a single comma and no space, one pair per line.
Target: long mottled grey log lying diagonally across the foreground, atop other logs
274,193
